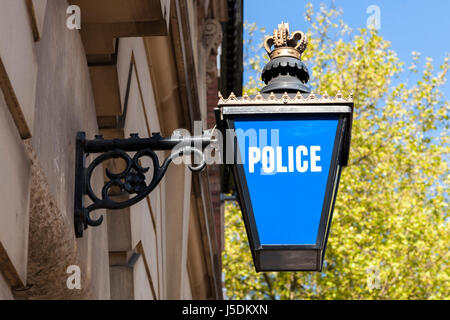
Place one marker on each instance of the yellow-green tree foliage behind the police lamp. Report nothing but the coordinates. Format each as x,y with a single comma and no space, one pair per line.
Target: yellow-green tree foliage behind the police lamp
390,233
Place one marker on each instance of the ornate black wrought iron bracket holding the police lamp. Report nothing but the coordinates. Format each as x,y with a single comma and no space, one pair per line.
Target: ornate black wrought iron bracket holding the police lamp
132,179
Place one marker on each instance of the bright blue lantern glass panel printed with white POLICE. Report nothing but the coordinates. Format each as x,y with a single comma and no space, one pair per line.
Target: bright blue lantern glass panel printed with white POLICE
287,181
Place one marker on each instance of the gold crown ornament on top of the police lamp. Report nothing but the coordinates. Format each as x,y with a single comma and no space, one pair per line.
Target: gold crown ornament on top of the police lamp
285,44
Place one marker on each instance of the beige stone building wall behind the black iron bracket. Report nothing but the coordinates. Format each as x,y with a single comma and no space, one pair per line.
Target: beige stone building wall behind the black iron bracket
118,75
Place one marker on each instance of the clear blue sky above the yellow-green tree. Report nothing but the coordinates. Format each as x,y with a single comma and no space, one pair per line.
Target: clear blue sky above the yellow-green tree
410,25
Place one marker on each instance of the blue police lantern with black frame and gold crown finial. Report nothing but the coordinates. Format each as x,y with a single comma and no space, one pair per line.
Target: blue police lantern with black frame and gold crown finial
286,147
